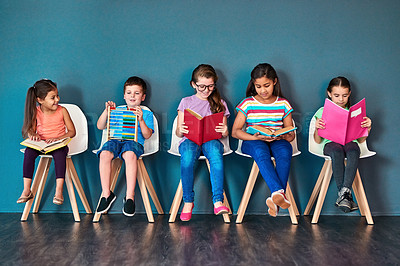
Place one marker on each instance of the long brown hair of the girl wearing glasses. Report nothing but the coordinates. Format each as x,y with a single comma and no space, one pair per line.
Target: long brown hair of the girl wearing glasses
207,71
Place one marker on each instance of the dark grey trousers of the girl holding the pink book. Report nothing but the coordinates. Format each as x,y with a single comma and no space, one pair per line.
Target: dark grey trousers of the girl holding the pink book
344,175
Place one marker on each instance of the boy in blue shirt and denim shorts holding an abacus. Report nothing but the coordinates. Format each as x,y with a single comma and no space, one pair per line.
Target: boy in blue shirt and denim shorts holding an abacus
128,150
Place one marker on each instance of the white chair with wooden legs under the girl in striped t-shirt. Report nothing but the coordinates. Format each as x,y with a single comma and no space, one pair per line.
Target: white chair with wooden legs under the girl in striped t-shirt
293,211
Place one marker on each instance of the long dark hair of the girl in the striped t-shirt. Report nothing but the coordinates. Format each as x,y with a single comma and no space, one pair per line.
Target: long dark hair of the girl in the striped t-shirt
263,70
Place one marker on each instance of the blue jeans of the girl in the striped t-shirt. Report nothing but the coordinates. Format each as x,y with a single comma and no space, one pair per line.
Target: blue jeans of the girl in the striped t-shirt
262,151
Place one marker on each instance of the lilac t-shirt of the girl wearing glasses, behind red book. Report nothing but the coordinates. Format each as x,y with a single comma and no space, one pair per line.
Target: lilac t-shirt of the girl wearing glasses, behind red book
202,107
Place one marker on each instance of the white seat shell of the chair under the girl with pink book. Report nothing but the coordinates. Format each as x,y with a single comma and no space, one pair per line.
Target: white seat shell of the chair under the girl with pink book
318,148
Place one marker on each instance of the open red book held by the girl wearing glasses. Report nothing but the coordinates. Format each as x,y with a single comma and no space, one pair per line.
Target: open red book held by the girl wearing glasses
202,129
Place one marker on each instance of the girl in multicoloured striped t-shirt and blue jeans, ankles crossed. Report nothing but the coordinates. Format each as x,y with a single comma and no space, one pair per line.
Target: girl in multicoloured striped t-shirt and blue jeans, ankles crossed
265,106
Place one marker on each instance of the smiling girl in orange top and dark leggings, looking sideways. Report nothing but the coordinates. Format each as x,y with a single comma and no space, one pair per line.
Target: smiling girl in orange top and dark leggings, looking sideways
48,121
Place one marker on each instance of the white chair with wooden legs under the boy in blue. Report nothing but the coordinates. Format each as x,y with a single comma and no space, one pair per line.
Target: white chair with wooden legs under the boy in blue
151,146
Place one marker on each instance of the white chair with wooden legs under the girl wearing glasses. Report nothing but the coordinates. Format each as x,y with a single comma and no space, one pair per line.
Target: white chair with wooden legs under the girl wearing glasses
174,150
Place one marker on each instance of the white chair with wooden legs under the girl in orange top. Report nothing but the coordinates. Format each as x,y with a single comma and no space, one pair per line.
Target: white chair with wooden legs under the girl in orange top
77,145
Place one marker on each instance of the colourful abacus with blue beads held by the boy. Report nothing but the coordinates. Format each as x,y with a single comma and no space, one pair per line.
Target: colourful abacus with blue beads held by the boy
122,124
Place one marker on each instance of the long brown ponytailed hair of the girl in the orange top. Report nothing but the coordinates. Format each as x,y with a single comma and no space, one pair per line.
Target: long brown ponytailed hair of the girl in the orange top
39,90
